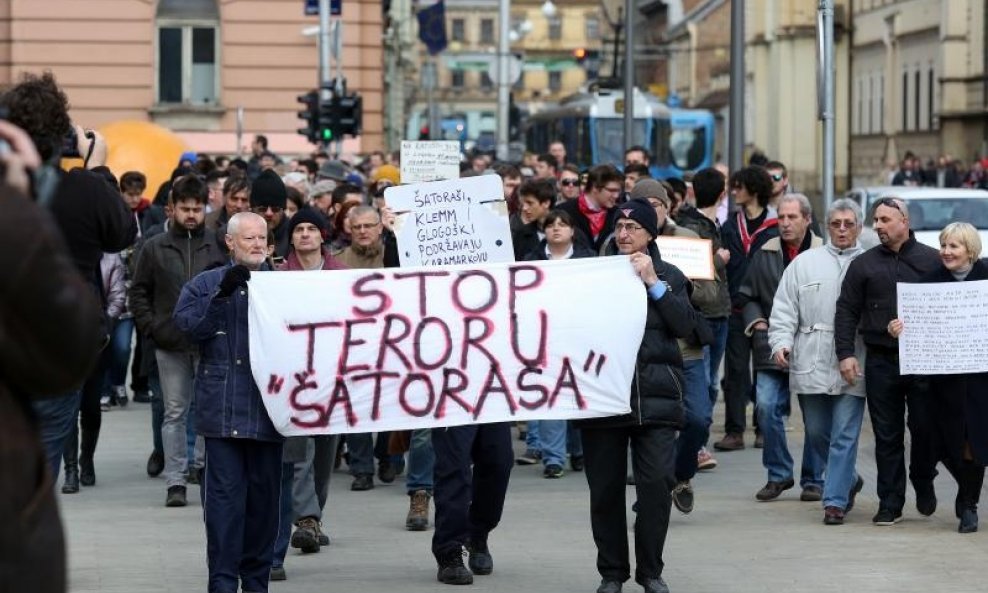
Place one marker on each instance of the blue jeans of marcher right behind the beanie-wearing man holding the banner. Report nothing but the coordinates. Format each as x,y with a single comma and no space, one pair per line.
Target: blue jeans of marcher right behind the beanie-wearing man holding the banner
699,415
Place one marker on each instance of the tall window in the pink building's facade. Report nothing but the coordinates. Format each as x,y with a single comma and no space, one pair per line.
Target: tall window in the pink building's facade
187,47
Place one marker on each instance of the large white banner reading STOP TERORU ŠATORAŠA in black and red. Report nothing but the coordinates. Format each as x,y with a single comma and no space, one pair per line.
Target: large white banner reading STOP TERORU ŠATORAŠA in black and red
355,351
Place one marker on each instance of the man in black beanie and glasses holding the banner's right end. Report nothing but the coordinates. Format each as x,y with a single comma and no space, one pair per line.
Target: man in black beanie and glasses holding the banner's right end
656,413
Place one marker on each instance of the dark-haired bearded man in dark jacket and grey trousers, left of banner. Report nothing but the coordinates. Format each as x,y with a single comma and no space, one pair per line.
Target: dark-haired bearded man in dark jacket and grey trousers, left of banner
165,263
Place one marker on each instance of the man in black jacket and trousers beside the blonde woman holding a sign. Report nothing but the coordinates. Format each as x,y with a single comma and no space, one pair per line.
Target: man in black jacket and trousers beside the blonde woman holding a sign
867,304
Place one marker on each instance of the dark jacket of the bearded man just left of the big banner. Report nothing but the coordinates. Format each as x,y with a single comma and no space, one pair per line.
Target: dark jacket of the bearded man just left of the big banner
164,264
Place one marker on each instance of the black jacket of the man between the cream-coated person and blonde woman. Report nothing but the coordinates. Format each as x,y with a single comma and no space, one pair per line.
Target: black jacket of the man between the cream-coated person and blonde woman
868,298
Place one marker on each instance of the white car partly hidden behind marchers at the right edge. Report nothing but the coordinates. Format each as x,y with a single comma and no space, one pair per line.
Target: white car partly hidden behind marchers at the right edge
930,209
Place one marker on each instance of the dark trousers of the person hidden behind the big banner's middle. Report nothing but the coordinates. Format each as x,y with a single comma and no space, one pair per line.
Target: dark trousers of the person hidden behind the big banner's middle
469,501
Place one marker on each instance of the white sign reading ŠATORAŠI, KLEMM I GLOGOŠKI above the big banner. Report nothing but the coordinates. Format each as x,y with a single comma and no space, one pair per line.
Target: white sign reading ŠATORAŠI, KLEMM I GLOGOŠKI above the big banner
459,221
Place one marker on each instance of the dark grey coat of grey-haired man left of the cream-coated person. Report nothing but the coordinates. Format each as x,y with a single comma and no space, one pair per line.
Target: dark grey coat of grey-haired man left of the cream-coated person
757,294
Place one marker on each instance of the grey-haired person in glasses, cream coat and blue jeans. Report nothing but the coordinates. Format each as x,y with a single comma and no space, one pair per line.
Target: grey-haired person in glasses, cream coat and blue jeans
801,334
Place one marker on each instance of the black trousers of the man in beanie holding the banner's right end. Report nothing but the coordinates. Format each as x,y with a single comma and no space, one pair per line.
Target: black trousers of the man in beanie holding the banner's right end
605,452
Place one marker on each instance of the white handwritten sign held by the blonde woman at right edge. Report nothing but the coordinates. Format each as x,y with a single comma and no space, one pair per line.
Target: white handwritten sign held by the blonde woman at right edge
944,328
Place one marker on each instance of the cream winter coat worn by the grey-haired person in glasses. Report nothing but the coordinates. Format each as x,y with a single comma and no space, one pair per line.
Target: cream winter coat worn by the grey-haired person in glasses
802,321
